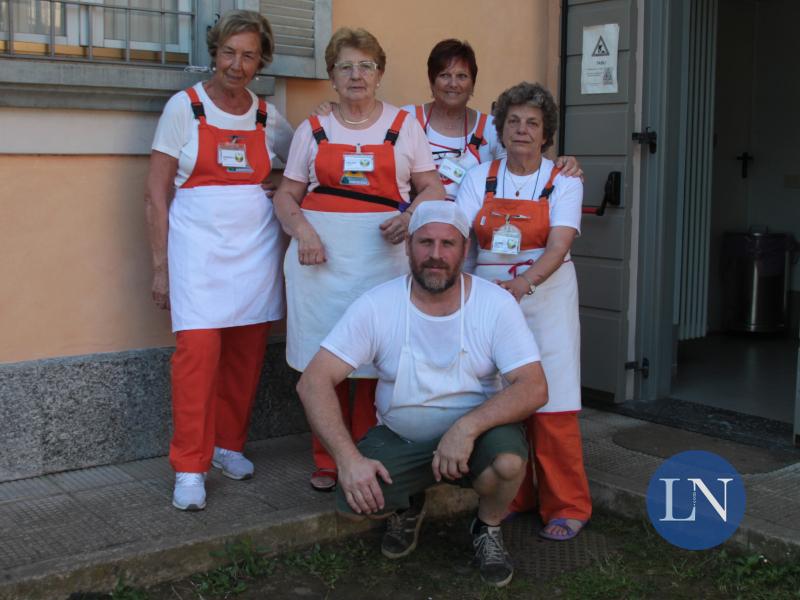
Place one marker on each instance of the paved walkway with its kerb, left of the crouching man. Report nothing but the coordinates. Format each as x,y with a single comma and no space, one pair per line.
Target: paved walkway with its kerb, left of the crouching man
81,530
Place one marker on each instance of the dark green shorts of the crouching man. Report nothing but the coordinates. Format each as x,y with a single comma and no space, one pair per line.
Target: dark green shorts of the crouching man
409,463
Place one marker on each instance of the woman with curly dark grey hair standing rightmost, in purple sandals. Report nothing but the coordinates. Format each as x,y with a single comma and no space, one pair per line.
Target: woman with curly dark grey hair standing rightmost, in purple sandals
525,215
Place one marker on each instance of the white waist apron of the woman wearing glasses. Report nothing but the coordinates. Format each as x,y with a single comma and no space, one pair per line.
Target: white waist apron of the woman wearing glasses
358,259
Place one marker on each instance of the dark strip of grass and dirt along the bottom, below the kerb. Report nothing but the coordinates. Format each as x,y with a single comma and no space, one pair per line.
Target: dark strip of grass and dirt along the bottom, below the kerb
640,565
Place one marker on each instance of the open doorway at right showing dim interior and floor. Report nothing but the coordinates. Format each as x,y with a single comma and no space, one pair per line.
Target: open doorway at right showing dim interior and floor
753,186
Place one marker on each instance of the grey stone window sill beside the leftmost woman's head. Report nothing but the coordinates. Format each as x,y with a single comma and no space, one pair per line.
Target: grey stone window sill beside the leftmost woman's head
36,83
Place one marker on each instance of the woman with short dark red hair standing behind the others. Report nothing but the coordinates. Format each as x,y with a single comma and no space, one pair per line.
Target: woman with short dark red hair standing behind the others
460,137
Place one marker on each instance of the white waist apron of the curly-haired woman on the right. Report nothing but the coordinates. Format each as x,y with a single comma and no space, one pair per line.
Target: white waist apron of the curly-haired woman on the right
552,315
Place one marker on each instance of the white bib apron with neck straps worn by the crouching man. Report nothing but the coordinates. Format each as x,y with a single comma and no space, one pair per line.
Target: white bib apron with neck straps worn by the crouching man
428,399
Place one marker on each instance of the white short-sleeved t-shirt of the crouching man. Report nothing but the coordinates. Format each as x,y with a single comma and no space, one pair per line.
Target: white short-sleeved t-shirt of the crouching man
497,340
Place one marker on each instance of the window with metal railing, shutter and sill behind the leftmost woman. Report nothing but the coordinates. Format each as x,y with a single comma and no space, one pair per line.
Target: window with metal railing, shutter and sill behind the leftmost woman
52,52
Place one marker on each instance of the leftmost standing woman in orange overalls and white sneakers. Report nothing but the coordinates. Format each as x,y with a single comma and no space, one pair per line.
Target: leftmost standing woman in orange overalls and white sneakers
216,248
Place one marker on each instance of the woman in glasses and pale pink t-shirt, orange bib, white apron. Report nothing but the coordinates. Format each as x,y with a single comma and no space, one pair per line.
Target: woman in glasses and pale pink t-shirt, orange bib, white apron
348,177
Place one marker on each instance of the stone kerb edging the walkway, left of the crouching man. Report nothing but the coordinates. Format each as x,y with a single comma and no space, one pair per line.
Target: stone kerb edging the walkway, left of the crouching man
149,564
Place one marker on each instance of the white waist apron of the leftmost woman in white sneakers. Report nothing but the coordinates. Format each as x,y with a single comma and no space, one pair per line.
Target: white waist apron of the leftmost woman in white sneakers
224,250
